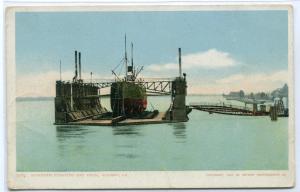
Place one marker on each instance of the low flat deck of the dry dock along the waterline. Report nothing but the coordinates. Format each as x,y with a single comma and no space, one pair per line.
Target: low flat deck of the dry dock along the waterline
158,119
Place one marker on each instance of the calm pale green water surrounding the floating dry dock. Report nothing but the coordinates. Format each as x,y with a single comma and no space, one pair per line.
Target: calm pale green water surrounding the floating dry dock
206,142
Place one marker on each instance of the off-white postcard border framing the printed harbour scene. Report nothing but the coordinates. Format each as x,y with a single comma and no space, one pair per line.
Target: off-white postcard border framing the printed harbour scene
140,179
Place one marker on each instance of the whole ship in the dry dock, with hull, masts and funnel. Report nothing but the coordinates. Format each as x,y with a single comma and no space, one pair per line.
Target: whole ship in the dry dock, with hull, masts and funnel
127,96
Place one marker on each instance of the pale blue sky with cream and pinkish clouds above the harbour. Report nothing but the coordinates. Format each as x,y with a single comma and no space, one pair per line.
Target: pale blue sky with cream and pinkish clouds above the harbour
222,51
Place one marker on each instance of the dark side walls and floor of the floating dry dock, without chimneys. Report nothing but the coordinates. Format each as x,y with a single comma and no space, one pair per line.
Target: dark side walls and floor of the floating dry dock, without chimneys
80,107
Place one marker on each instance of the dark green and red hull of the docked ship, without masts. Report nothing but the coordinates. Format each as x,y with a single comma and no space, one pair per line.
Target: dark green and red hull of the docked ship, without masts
127,98
